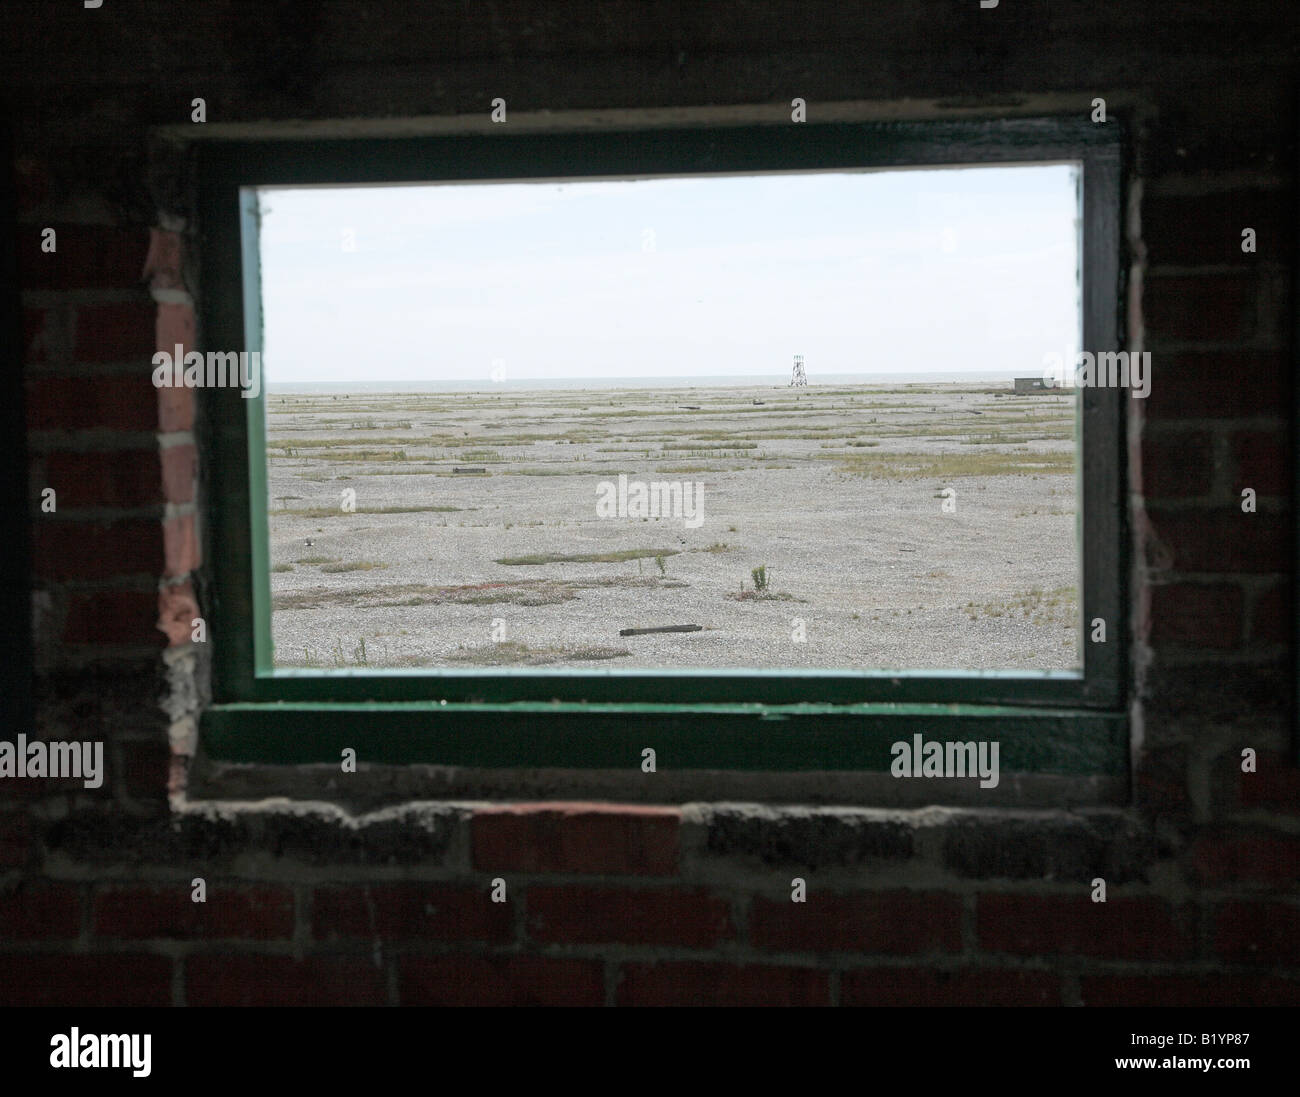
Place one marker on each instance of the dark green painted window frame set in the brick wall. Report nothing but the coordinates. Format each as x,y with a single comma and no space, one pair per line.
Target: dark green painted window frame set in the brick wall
731,719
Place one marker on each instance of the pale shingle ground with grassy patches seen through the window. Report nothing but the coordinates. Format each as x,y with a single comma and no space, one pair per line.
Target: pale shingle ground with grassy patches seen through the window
920,527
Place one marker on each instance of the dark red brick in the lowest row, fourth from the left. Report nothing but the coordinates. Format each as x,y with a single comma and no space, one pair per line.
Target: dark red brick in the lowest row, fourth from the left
722,985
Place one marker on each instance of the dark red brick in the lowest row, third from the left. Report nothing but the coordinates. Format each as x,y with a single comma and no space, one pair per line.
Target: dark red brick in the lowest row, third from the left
501,981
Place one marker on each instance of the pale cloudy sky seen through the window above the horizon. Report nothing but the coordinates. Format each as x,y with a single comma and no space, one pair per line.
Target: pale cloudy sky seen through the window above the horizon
911,271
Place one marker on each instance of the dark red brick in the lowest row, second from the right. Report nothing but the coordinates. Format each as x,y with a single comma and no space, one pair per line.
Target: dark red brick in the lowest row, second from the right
978,987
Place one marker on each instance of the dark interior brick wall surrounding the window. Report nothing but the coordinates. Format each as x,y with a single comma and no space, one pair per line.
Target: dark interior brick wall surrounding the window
632,904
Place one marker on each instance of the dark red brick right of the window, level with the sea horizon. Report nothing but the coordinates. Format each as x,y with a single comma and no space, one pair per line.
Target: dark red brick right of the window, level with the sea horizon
1219,385
